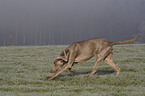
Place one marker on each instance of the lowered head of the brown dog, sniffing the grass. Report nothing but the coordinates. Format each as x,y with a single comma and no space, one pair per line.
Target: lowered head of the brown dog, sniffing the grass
58,63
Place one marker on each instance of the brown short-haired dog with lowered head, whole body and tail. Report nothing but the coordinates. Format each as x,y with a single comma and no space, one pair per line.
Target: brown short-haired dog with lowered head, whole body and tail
84,50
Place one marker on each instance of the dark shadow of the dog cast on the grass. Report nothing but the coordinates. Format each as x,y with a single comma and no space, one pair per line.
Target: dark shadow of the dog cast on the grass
99,72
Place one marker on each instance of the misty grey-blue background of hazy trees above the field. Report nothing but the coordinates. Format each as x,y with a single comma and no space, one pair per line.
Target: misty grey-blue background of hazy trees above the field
50,22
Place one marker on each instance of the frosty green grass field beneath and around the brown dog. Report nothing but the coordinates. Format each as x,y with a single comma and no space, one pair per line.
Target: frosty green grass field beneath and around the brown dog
23,71
